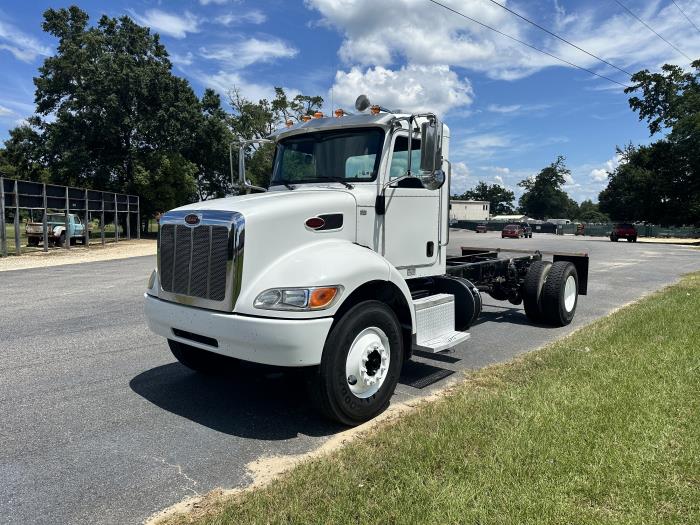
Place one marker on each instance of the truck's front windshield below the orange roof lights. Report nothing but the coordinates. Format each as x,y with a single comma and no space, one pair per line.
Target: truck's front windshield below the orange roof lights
350,155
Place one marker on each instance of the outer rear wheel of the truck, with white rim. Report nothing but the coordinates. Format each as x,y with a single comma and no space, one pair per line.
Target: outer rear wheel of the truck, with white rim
560,294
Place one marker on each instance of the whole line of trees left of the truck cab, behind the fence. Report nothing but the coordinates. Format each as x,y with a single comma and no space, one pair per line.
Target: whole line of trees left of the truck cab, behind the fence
111,115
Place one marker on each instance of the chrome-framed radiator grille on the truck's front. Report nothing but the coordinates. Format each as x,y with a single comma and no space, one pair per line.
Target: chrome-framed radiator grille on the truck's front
198,265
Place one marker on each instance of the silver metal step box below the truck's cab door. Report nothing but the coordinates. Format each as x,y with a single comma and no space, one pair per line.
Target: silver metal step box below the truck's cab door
435,323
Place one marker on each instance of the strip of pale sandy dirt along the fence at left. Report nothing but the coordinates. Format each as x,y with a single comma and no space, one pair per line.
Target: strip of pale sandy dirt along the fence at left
79,254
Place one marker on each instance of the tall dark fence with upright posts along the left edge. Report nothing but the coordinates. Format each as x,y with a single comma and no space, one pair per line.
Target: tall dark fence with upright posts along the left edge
39,216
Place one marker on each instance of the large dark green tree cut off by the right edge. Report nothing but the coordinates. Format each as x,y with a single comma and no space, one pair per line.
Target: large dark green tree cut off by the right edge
661,182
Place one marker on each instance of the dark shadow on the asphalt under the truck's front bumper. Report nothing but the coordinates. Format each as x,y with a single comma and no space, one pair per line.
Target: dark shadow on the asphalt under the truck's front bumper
248,401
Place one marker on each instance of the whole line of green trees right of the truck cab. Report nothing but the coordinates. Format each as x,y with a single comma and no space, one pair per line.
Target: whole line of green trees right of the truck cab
657,183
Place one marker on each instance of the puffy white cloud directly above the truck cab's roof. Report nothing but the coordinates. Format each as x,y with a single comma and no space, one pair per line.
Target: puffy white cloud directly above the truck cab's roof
410,88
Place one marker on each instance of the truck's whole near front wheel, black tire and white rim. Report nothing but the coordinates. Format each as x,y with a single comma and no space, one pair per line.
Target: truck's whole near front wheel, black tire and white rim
360,366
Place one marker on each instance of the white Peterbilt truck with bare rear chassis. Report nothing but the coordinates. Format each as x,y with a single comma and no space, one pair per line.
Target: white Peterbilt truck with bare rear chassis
341,265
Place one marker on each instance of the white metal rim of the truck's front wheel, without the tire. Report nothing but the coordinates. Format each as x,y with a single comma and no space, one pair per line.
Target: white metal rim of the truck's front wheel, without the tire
367,364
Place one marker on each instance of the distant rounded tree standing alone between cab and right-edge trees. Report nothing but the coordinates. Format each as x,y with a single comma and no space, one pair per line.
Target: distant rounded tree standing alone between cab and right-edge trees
543,196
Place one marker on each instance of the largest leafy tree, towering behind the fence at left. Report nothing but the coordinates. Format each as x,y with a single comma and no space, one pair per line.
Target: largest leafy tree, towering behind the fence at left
107,105
